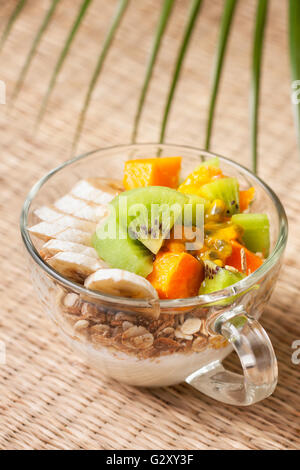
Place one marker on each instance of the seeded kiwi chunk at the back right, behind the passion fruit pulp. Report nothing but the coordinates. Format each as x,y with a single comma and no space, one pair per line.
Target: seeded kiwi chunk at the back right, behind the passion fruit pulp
226,189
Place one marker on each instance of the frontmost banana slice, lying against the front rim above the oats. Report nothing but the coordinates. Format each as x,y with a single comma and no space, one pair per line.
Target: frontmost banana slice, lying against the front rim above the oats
125,284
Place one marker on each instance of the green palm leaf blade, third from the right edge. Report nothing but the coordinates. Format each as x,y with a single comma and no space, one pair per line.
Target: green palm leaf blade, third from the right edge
226,21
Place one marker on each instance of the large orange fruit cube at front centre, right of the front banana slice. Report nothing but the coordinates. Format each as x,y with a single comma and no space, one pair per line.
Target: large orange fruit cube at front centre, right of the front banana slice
176,275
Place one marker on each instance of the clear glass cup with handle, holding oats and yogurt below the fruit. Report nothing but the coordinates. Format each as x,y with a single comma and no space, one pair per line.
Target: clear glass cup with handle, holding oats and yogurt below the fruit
151,343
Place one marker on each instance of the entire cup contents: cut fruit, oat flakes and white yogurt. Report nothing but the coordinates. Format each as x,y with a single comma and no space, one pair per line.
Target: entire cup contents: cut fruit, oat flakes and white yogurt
153,236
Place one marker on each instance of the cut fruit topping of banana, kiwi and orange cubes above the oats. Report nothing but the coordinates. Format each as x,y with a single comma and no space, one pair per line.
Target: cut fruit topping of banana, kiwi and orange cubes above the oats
154,235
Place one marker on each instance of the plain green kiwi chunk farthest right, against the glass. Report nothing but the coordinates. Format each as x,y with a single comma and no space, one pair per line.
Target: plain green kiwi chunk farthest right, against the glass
256,231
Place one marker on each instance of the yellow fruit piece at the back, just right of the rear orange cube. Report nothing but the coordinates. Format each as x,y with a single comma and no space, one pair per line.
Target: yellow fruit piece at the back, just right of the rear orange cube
199,177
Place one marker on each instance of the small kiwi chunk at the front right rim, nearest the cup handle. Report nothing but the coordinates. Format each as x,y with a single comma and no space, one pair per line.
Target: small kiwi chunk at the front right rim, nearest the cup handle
217,278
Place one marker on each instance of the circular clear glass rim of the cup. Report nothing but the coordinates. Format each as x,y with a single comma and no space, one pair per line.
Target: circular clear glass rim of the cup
241,286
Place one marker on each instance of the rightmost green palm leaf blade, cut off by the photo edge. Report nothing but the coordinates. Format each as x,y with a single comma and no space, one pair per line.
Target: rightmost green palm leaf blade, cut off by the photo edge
294,39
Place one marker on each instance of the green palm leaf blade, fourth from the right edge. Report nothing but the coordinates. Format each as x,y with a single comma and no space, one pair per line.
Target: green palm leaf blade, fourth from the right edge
193,14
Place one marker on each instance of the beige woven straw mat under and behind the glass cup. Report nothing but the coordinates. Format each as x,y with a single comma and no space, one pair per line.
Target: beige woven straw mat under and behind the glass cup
48,398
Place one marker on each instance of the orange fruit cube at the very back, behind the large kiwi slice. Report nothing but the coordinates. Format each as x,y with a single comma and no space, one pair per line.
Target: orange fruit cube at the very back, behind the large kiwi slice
152,172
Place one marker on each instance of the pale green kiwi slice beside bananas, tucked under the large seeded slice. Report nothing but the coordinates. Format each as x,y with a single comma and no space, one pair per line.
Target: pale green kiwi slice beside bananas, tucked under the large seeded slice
121,251
